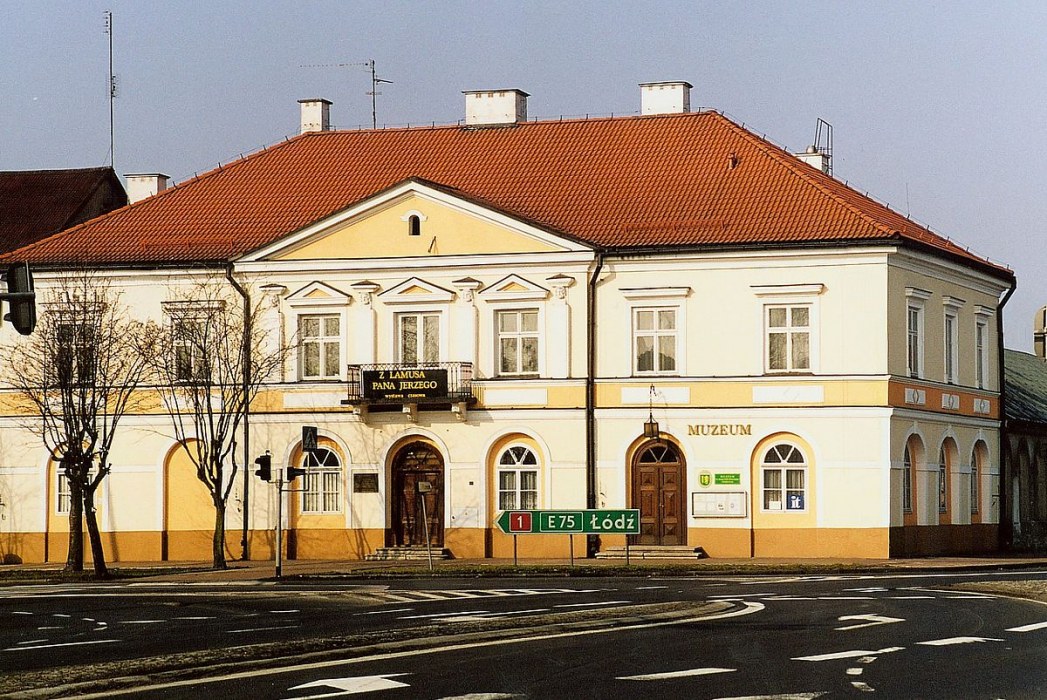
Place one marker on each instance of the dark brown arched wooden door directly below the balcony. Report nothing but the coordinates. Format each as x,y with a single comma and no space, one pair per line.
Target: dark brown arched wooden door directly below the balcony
417,496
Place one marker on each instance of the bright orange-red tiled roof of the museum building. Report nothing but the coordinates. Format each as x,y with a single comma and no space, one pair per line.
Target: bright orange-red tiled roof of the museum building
635,183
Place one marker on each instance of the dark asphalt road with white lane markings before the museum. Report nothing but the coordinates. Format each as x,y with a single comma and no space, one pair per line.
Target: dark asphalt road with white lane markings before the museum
899,636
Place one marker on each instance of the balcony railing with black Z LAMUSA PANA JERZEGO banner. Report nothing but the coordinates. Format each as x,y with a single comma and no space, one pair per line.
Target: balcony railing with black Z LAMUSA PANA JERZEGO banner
428,383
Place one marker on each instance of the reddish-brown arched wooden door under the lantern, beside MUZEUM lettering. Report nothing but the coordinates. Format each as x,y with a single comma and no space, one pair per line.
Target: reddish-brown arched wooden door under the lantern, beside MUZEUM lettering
659,490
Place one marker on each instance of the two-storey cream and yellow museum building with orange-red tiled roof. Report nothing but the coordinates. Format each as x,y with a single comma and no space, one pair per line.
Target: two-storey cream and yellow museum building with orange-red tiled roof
503,310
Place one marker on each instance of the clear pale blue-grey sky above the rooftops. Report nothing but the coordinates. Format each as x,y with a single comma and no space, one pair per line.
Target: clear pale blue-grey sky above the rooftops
939,108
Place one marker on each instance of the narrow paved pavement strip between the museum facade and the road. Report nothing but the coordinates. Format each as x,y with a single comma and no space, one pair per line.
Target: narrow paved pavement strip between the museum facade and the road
260,571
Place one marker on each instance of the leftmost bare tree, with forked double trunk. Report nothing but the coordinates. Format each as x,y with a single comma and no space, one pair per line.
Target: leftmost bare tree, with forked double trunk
81,373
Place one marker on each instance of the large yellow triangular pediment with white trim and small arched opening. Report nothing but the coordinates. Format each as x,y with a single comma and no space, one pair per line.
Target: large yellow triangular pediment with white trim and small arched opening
416,220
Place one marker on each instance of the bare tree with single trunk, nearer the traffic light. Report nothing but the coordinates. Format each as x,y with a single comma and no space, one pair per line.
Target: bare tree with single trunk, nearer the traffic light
217,357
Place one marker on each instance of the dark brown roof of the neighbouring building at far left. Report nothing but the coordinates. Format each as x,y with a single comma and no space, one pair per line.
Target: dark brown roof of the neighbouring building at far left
35,205
